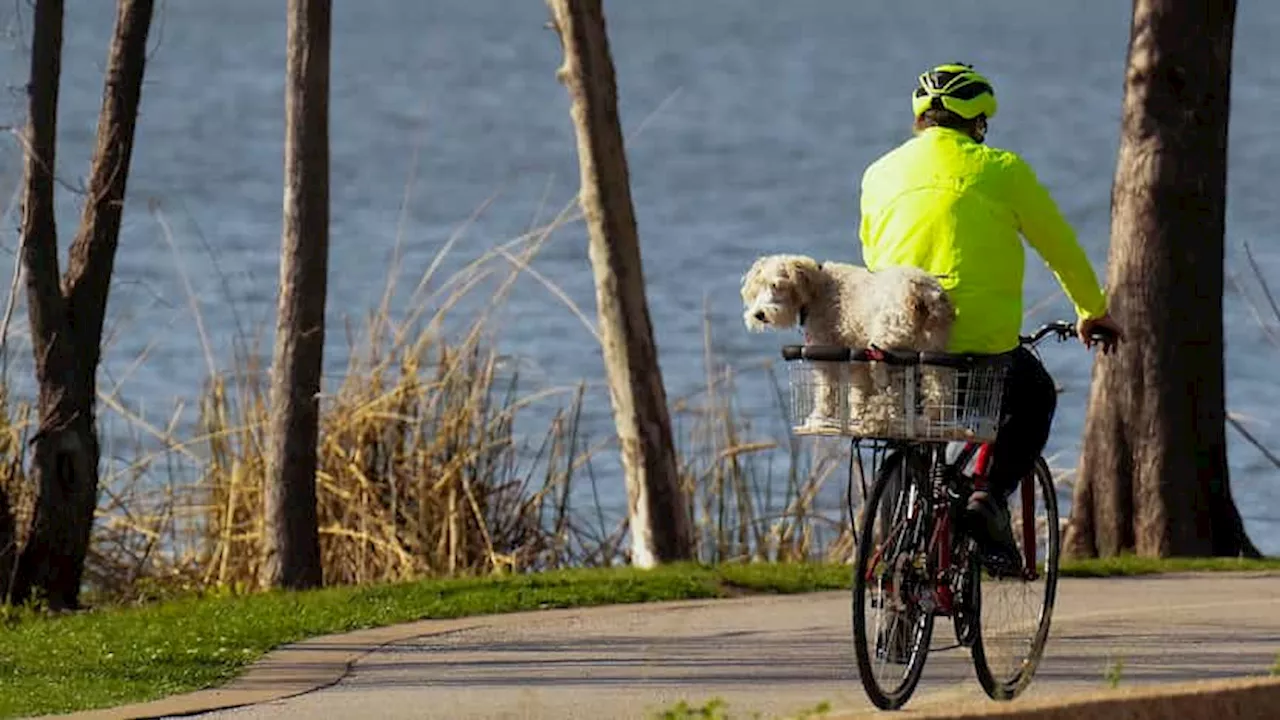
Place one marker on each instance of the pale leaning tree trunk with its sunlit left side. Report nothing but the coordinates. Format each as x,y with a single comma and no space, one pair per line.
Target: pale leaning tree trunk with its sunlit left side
660,523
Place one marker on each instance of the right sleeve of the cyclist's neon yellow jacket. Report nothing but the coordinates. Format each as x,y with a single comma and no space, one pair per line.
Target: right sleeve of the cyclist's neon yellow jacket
1048,231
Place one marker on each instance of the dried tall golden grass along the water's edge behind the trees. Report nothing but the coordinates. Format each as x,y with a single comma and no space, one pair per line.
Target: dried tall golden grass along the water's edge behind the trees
422,472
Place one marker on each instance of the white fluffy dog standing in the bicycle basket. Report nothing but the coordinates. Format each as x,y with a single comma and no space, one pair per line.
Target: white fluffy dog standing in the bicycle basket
848,306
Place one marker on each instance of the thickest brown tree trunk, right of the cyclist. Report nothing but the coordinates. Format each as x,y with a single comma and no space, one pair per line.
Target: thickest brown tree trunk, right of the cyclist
1154,472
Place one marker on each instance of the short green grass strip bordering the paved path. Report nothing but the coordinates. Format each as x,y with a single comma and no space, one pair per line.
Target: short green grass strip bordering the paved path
115,657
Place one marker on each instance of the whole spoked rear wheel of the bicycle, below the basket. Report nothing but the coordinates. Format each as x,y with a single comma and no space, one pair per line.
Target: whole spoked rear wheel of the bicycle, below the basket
892,628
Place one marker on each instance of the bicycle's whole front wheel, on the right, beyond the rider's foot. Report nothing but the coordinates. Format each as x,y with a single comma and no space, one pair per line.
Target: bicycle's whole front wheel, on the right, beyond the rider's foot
1016,612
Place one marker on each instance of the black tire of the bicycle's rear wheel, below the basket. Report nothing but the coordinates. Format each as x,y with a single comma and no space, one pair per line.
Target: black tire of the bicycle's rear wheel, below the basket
917,532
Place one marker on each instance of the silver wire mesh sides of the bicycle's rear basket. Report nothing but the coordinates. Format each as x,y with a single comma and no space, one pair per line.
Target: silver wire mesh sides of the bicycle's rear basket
876,400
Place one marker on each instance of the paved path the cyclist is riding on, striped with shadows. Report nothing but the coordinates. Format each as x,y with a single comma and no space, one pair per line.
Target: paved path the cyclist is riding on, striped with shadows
780,655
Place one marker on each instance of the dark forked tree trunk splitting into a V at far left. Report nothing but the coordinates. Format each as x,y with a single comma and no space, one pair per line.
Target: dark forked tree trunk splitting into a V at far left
67,317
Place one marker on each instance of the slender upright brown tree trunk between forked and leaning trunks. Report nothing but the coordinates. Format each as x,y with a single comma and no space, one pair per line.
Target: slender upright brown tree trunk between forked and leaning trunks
292,534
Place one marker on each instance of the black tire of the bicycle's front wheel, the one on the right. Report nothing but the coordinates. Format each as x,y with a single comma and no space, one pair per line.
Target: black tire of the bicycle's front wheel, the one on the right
1009,687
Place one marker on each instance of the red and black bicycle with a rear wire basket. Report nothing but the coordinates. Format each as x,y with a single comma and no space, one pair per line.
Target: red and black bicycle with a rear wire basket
920,564
